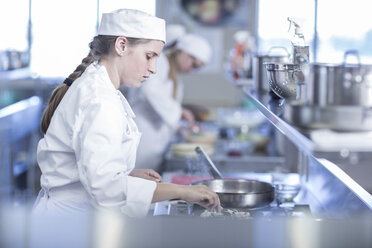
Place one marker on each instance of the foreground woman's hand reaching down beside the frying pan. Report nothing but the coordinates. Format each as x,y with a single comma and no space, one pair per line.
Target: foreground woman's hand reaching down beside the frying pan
202,195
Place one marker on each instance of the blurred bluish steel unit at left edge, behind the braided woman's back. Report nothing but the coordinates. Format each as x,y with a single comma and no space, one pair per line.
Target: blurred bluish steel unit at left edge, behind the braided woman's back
19,133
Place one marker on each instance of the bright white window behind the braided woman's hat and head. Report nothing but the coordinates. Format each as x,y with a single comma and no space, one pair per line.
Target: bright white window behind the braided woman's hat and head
62,30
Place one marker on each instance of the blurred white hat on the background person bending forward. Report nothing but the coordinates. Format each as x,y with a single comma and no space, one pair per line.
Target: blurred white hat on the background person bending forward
196,46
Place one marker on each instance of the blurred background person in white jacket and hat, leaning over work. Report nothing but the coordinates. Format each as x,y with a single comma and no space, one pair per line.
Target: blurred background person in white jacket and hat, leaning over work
158,103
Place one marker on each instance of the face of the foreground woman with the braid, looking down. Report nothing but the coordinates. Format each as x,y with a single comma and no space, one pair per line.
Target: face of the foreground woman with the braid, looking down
139,61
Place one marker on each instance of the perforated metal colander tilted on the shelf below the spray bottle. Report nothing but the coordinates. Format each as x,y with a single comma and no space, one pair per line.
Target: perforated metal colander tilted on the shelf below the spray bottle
283,79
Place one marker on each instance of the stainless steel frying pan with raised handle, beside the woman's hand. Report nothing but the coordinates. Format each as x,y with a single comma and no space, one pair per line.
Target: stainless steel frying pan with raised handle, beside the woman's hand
237,193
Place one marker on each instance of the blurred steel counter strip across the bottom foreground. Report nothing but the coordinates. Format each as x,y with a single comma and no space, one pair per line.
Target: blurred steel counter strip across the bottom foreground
19,229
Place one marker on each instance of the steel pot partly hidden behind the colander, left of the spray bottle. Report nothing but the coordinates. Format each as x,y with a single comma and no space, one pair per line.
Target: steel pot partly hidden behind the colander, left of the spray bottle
261,83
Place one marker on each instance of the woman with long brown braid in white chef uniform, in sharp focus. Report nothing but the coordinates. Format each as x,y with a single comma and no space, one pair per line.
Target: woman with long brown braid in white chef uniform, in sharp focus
88,152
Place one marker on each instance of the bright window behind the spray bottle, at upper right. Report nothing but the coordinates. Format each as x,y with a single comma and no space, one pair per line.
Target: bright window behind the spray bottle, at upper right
341,25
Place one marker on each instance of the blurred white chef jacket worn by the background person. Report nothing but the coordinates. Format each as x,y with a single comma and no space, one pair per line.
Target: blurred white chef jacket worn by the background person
157,114
